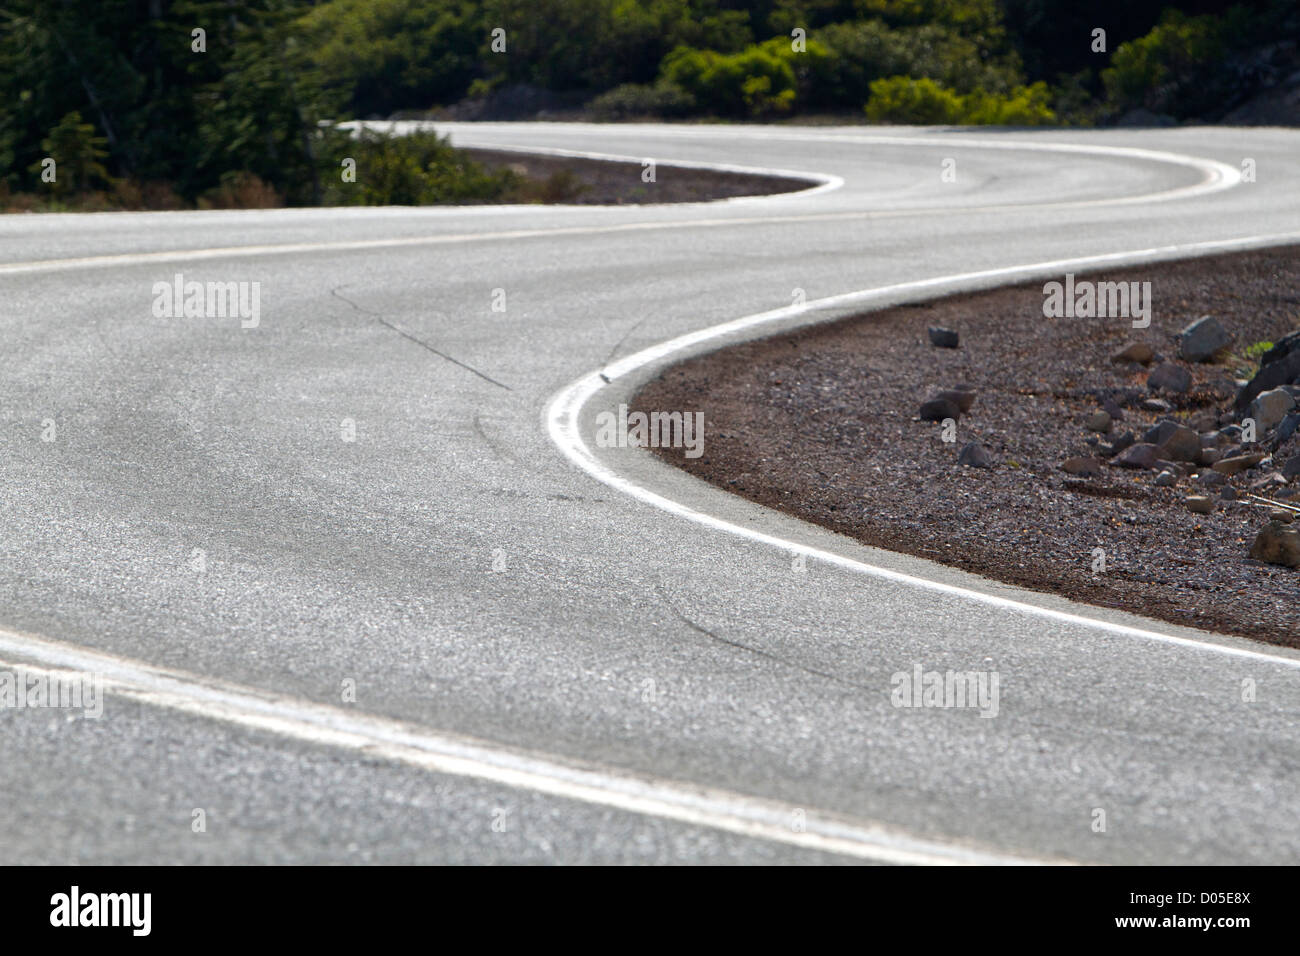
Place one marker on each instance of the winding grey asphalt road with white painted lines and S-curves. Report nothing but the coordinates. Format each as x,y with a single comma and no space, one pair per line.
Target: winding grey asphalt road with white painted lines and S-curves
566,654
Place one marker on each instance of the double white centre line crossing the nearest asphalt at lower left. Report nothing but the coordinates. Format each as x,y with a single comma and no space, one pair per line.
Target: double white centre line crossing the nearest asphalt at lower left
458,756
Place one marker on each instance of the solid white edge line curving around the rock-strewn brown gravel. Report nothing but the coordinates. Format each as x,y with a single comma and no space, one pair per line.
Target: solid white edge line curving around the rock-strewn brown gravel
564,418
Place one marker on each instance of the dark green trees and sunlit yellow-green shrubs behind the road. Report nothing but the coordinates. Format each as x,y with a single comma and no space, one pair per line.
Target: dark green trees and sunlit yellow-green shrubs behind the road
172,105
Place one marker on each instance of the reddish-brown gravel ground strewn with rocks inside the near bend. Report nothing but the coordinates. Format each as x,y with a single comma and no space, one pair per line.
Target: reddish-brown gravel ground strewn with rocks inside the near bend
1085,457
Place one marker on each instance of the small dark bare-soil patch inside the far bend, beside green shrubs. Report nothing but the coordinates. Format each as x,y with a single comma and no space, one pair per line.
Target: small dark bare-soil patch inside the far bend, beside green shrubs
601,183
